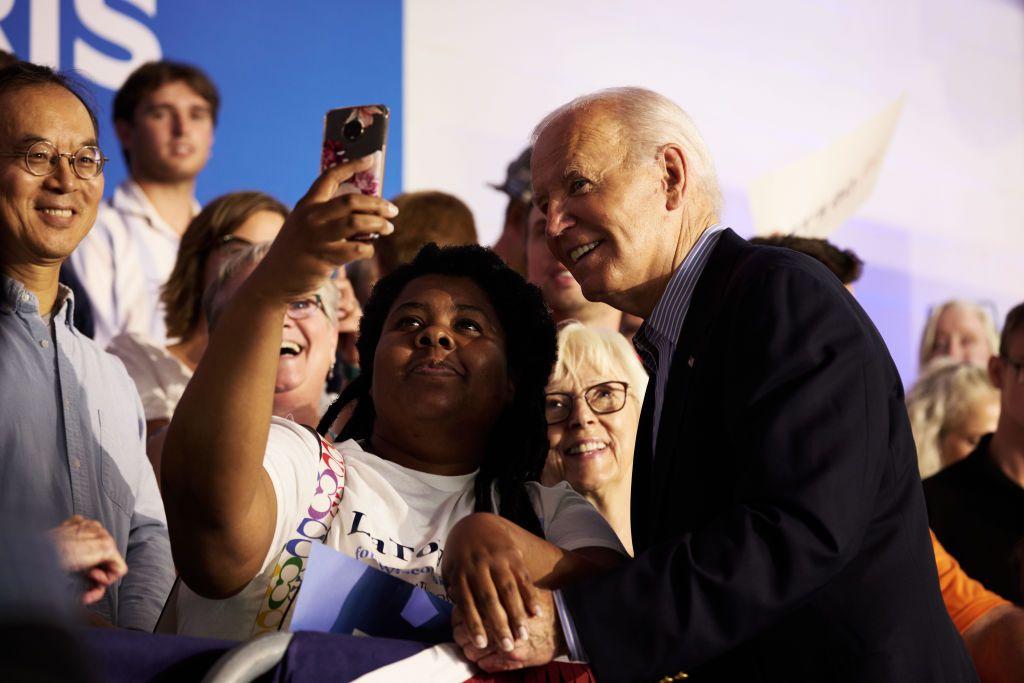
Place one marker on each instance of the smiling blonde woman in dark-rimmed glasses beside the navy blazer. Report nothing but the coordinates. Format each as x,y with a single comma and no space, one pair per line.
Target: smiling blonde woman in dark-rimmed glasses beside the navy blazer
593,410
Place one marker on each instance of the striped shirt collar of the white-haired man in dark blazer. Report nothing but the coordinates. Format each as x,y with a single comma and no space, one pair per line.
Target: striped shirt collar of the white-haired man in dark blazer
667,319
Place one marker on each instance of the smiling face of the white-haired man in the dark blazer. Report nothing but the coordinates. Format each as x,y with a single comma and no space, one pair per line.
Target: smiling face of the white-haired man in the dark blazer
608,220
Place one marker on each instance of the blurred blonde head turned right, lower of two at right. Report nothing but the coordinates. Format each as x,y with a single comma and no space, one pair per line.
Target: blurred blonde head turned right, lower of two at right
952,407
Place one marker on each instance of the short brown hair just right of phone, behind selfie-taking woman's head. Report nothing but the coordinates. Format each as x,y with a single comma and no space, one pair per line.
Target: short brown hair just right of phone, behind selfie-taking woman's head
424,218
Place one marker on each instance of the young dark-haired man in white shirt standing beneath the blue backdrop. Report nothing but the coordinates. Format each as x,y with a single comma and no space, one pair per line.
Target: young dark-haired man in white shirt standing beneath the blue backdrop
165,116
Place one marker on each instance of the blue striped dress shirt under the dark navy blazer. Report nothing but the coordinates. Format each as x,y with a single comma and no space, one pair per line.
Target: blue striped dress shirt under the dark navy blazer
656,340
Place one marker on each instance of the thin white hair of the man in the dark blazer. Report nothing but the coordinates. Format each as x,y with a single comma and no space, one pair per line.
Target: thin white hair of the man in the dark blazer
650,121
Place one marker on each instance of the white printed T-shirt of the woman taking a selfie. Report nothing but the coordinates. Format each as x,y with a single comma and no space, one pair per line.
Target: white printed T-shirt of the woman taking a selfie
392,518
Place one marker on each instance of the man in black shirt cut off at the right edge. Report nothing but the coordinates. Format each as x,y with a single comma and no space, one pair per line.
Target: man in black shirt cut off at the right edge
976,506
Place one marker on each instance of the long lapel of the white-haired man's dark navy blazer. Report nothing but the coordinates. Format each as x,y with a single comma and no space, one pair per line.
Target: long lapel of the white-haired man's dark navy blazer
690,348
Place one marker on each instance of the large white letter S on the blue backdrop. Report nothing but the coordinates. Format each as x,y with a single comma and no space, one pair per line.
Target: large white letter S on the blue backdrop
120,30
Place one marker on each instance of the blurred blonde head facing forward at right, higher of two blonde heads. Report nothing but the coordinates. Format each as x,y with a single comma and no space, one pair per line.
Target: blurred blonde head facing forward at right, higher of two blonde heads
962,331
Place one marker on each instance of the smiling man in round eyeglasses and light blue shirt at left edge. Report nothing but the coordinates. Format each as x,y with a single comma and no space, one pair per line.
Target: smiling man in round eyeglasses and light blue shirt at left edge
72,456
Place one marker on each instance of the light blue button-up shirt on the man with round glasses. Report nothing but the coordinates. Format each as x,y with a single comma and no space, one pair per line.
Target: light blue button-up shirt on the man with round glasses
72,442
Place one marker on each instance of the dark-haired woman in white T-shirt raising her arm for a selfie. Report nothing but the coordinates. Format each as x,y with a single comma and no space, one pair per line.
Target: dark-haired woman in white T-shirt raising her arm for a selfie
440,457
